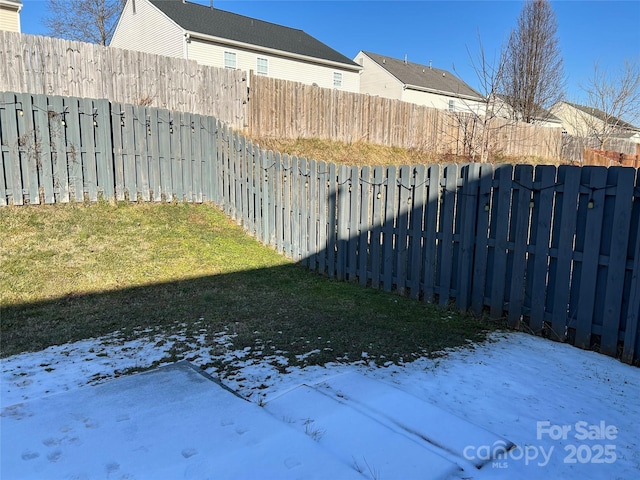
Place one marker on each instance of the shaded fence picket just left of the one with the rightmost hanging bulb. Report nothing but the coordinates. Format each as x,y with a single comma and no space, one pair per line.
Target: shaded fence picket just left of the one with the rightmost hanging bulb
561,266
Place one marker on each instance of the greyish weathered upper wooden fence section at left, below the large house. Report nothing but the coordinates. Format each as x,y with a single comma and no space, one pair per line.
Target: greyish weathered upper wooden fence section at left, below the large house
51,66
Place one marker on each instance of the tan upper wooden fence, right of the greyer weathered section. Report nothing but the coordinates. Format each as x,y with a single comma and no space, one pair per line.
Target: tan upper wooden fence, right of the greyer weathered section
284,109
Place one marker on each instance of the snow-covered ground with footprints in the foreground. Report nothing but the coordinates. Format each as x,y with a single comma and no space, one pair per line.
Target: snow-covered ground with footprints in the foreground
516,406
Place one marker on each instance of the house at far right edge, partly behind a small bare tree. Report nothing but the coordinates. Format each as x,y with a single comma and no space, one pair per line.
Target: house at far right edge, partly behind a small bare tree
588,122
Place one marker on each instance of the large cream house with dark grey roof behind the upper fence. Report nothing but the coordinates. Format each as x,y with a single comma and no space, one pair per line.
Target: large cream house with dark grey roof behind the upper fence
215,37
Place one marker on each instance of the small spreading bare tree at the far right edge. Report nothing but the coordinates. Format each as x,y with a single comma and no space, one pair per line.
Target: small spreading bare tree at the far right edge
611,98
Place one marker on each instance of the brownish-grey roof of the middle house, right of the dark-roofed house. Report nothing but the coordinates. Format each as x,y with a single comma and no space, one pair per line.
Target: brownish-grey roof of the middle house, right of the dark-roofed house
421,77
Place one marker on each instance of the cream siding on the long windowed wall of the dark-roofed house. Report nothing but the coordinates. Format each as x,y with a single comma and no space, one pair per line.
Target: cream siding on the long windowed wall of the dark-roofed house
210,53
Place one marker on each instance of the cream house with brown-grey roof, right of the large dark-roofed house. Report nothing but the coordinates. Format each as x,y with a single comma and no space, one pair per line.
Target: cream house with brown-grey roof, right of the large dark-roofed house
415,83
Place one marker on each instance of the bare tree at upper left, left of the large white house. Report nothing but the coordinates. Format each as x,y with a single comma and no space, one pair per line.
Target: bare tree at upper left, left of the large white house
92,21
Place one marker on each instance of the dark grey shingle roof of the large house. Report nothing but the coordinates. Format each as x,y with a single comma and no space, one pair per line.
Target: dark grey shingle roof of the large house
214,22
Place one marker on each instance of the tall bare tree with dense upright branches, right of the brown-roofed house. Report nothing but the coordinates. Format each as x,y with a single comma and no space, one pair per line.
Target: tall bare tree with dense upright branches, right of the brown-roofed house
533,77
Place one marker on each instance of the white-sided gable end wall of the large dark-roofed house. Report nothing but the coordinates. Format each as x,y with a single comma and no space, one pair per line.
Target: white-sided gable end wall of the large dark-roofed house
148,30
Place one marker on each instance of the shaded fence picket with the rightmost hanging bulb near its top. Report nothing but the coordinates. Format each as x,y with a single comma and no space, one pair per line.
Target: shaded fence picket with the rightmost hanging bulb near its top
596,179
